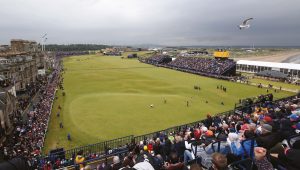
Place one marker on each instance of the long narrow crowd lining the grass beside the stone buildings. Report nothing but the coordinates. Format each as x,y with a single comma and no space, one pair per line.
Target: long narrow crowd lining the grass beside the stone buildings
27,139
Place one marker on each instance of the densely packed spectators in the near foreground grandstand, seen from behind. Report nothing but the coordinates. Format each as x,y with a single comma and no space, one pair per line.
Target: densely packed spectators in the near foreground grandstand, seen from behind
260,135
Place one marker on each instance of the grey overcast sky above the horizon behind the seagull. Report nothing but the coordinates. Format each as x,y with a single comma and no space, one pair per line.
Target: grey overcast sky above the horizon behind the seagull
165,22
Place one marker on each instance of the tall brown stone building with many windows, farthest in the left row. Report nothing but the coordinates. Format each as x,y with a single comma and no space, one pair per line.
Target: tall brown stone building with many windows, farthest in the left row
19,66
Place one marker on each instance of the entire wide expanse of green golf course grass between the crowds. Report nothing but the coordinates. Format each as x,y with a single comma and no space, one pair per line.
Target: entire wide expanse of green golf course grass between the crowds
110,97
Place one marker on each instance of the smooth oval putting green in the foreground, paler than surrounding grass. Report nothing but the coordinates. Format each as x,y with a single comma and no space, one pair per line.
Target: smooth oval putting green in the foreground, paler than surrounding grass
100,110
